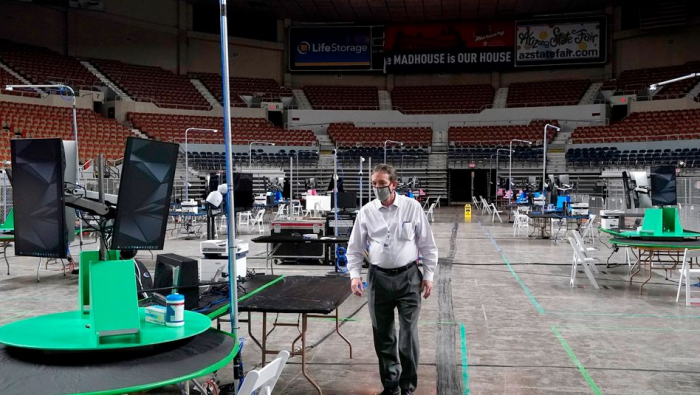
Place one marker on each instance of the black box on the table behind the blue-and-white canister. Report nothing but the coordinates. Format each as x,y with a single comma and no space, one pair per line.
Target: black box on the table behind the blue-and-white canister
178,271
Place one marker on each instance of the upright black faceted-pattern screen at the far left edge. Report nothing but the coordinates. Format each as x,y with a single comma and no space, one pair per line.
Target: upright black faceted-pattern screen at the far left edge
40,228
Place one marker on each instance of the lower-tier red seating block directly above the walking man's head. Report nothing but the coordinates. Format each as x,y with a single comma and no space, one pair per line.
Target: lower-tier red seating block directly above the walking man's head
348,135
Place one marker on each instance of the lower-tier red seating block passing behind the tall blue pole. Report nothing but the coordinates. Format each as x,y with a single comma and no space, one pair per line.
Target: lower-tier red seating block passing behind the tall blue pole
172,128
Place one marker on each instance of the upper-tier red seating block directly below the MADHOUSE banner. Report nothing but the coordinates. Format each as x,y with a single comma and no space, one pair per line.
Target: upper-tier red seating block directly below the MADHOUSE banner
453,99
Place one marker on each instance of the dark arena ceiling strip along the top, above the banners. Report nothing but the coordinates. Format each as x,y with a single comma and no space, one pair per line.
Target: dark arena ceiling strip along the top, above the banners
400,11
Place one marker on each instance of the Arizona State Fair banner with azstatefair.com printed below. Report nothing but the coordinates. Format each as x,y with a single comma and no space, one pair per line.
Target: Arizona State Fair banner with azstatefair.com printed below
542,43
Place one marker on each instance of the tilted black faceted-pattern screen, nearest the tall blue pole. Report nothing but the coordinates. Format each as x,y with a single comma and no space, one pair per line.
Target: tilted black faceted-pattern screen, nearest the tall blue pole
144,195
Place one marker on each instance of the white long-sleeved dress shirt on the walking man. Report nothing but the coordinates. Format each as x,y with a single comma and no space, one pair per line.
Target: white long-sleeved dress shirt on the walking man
395,234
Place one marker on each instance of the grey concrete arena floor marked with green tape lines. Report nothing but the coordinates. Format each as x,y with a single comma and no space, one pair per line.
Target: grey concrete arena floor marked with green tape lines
504,321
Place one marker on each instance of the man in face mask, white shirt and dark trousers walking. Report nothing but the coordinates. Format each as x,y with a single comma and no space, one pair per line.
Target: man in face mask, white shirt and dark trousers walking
396,230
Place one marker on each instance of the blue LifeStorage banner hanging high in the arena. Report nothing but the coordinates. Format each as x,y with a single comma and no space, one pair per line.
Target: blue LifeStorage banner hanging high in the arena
330,48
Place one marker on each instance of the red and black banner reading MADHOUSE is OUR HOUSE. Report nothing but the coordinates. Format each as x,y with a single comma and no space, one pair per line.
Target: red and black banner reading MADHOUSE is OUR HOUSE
449,47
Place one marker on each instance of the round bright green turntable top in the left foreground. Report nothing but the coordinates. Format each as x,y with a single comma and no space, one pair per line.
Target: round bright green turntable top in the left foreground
68,331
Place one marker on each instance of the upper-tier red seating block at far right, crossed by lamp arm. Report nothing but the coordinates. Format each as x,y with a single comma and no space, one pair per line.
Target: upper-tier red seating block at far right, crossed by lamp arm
634,81
